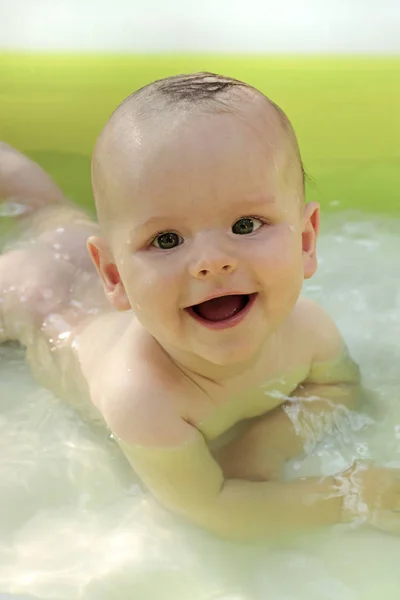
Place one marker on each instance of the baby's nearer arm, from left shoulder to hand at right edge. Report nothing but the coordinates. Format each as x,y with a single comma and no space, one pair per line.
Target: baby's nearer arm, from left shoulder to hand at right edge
174,462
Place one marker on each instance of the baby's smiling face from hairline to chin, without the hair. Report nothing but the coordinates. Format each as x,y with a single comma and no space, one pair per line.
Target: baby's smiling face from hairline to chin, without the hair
213,240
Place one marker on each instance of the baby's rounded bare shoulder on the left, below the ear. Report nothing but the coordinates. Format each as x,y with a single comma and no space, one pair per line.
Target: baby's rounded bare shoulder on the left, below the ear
142,395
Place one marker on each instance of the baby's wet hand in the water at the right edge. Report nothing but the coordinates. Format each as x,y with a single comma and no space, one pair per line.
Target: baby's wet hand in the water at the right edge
372,495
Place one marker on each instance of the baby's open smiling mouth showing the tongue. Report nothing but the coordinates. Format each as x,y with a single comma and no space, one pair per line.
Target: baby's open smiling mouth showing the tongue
223,310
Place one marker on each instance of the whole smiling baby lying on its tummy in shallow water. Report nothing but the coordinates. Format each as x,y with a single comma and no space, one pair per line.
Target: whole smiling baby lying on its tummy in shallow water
200,356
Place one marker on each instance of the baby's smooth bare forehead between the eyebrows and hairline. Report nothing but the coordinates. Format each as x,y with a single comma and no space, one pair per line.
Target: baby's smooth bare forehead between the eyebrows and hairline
188,158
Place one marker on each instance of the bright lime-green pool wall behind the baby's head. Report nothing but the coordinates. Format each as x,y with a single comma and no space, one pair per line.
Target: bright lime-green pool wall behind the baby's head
346,112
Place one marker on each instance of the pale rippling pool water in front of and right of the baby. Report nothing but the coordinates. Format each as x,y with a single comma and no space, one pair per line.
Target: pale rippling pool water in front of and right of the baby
75,524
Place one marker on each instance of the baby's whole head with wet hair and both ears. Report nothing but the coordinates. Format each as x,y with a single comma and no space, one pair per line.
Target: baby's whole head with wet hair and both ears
199,190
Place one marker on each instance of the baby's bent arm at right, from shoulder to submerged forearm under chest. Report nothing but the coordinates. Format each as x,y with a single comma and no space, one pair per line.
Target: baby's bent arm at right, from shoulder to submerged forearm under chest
316,408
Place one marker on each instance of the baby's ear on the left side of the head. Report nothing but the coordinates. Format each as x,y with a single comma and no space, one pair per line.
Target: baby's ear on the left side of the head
109,274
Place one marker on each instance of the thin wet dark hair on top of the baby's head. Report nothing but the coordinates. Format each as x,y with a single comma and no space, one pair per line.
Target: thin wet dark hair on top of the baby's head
207,90
